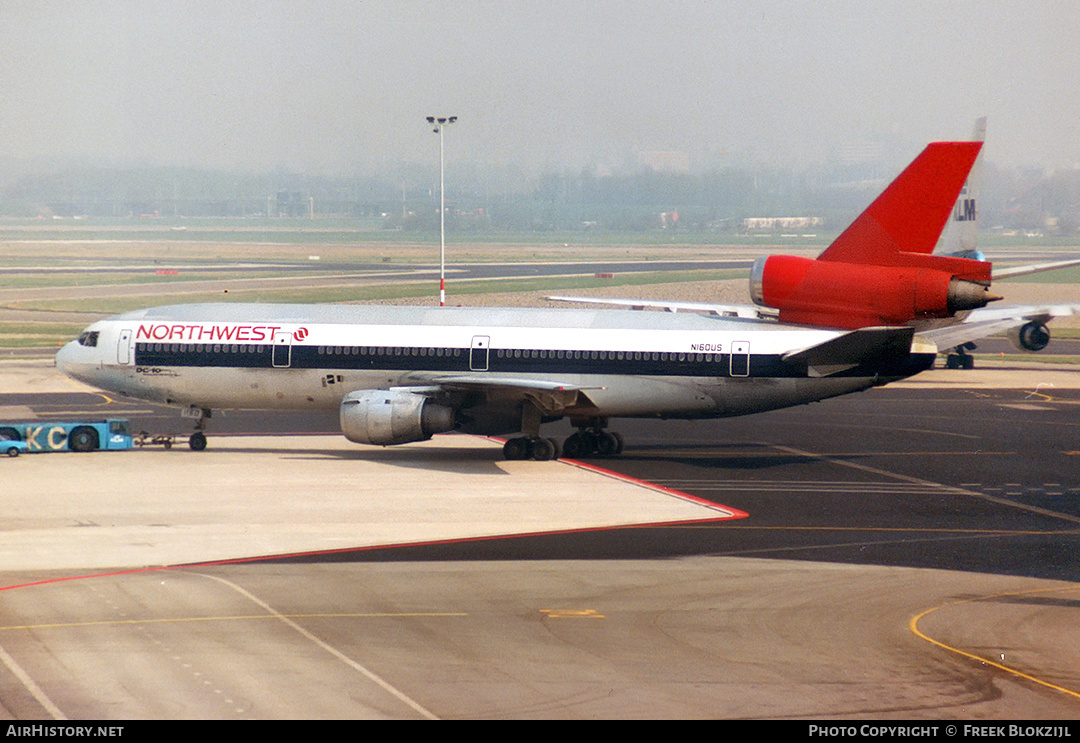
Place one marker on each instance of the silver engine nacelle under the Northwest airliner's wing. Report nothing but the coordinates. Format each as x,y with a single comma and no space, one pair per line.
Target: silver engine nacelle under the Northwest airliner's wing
393,417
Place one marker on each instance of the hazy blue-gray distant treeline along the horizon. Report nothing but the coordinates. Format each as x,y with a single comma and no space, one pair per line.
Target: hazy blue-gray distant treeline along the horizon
505,200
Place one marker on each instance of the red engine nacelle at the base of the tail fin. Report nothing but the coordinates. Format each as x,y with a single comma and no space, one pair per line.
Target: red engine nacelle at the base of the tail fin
838,294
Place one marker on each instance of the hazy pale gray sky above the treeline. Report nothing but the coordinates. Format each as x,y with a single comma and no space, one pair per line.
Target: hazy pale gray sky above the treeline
326,86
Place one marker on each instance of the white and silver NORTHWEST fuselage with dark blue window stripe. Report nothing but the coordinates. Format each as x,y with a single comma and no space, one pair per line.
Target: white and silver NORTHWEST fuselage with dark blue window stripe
577,363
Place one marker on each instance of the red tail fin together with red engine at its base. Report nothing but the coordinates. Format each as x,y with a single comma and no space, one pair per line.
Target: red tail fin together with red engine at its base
882,269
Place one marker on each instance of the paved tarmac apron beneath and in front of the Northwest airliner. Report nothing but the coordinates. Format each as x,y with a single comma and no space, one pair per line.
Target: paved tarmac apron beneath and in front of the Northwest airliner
910,552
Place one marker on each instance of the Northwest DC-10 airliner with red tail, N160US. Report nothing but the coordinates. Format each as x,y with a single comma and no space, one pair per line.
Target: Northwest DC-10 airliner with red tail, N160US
401,374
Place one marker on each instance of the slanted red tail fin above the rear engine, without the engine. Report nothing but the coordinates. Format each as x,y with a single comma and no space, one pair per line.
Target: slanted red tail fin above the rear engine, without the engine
911,214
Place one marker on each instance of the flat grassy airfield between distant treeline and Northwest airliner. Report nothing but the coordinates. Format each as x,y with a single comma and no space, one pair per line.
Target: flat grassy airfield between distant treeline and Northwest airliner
74,273
